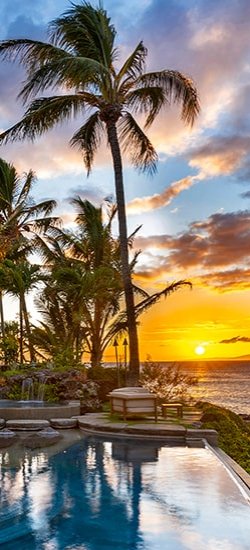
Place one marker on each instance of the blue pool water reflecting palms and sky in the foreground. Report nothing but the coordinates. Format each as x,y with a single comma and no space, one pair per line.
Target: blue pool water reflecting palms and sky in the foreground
104,495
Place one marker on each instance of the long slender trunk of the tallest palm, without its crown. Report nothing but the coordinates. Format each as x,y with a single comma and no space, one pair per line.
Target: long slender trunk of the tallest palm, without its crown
134,362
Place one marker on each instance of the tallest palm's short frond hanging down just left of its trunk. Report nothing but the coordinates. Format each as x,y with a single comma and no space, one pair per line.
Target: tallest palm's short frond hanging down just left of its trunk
88,139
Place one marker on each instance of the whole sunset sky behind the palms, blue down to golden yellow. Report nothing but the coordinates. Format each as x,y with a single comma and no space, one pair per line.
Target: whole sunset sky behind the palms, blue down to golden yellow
195,212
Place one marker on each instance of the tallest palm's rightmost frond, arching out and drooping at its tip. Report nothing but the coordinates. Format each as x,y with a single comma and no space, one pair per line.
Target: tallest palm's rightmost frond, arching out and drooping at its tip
177,88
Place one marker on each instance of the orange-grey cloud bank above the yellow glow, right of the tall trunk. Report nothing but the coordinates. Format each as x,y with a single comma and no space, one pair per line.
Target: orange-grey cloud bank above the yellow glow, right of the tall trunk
213,253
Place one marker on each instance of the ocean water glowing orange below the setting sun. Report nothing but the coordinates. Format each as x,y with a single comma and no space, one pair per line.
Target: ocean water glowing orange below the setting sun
224,383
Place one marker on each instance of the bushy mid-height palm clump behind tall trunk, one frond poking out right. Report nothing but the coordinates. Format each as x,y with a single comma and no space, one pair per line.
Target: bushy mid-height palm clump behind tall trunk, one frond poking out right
82,303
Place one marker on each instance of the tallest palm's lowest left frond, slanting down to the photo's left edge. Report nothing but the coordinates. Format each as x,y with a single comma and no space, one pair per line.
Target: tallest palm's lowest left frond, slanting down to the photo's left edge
42,115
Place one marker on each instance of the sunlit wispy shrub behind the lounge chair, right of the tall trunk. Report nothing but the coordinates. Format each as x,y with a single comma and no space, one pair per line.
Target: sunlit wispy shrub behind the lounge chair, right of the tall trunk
168,383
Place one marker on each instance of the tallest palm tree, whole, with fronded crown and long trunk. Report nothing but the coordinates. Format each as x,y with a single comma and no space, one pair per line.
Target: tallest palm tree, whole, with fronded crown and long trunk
81,57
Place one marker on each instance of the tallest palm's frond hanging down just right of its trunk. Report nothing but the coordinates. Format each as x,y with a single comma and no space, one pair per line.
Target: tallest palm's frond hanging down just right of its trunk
137,144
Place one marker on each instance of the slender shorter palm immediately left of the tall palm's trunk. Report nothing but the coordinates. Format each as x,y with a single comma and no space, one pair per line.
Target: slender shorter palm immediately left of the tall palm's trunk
97,274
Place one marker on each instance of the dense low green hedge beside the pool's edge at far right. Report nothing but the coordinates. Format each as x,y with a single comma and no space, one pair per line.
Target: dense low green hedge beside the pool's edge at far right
234,434
